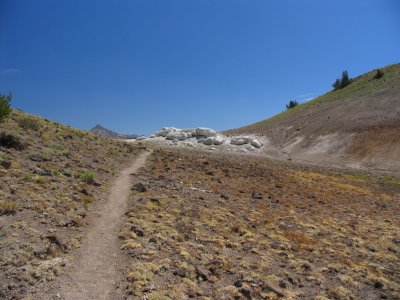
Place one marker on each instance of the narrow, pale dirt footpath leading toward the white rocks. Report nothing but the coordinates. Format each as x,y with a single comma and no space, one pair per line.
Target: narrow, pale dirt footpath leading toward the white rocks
96,271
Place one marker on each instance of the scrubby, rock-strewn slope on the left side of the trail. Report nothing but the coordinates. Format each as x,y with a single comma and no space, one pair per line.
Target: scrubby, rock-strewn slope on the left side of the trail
51,175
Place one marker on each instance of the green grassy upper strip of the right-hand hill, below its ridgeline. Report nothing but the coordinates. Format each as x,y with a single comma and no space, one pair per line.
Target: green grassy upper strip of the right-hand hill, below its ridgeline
364,86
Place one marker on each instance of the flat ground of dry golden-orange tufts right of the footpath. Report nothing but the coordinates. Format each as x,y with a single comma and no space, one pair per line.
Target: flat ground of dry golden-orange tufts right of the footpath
315,234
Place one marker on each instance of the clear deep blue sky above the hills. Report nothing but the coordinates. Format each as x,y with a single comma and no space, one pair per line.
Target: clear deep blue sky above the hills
136,65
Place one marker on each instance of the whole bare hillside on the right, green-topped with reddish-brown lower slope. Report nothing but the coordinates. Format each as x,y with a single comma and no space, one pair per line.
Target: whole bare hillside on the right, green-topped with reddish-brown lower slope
356,126
